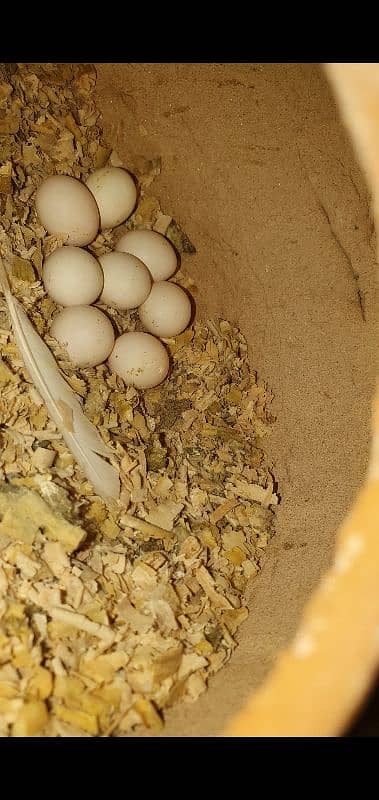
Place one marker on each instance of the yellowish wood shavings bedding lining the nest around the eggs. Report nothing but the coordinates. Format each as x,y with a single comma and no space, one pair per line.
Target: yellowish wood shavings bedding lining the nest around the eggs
110,613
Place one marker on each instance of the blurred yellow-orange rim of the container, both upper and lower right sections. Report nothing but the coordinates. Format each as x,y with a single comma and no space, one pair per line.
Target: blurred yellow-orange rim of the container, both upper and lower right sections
319,682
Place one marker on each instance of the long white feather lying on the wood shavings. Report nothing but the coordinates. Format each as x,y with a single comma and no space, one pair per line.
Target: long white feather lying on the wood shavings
81,437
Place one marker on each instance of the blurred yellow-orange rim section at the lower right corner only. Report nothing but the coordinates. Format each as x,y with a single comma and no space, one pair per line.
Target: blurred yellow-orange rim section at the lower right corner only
319,682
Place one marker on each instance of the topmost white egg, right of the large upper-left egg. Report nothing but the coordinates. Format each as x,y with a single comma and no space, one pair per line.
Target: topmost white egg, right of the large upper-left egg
115,193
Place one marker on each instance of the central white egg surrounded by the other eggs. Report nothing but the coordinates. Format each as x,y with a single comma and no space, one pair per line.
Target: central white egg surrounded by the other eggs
127,282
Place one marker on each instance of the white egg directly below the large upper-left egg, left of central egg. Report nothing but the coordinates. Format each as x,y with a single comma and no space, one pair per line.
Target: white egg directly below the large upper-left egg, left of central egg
72,277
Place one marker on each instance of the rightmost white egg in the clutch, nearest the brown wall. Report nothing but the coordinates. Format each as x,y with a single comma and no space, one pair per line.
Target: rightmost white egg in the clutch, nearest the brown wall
167,310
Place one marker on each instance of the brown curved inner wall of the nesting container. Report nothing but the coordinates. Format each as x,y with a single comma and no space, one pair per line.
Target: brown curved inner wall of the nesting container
259,171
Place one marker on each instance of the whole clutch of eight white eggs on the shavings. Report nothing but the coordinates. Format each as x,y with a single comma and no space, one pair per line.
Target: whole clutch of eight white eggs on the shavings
134,276
